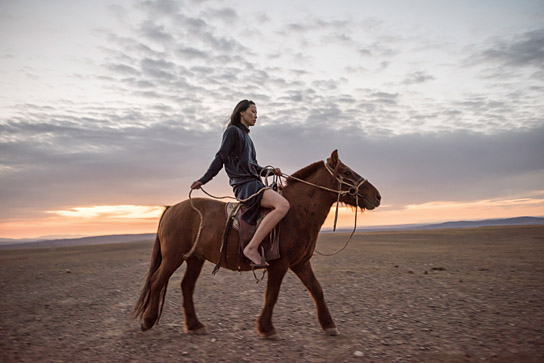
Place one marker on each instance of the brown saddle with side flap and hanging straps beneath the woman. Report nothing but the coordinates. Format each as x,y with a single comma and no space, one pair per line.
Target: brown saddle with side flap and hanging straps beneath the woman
234,212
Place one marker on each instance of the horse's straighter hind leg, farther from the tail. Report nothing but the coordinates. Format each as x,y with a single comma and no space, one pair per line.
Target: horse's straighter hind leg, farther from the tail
192,325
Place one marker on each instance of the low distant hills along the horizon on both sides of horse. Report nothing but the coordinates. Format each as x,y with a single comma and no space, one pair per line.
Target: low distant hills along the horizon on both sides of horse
123,238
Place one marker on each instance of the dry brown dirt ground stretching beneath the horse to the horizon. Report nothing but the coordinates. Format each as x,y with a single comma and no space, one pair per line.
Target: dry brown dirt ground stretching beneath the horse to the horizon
431,296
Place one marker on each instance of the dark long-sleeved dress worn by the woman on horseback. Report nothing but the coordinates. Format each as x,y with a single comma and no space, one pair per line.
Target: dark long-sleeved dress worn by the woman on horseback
238,155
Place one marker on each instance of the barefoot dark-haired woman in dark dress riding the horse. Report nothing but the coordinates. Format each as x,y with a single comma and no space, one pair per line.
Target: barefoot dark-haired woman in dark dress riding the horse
238,155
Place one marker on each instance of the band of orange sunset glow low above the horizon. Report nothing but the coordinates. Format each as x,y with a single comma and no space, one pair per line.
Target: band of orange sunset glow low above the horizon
133,219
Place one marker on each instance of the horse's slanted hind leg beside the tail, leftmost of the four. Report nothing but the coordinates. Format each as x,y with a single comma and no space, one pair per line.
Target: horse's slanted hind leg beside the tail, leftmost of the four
159,284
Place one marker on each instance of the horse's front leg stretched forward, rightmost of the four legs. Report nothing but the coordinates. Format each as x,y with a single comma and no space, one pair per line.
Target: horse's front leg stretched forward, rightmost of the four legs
306,275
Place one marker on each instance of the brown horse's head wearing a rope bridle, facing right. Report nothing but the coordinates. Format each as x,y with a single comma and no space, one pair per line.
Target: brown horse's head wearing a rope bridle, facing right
357,190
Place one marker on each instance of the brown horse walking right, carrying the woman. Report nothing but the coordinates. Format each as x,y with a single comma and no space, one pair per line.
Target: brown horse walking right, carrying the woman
310,206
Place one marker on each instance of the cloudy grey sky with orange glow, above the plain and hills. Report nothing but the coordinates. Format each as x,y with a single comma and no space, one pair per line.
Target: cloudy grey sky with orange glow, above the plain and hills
110,109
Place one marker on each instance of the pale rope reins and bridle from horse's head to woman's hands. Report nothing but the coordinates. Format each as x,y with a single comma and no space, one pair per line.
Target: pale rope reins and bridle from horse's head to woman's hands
353,191
